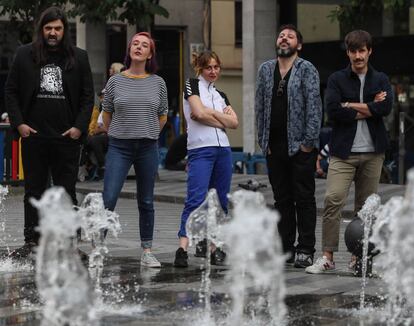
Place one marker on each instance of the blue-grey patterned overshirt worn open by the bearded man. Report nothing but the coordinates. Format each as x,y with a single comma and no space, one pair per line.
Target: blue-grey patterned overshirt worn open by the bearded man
304,105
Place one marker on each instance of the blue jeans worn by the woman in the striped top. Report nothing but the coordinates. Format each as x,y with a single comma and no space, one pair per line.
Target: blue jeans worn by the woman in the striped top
143,154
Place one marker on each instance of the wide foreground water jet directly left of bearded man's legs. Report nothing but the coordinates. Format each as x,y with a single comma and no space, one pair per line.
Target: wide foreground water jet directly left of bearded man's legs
256,260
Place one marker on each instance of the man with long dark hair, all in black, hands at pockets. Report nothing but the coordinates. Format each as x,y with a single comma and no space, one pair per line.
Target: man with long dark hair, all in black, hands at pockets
49,98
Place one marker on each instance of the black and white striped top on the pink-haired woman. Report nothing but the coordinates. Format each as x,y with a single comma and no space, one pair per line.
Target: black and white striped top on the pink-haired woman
135,104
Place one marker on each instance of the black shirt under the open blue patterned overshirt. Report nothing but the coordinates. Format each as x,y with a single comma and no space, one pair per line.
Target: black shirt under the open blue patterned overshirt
278,118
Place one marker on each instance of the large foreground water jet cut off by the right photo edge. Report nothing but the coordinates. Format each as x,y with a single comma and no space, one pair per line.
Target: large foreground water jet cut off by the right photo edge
393,236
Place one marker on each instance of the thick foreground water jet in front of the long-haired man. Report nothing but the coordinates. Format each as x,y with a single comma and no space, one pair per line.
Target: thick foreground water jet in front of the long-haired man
62,280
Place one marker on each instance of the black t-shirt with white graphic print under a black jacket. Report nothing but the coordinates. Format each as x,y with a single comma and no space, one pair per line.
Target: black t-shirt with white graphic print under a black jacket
51,114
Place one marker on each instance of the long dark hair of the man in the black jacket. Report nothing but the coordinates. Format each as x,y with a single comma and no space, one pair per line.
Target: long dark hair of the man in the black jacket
40,51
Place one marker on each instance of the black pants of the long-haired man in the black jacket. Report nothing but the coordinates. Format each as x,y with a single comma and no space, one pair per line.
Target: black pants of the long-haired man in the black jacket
42,158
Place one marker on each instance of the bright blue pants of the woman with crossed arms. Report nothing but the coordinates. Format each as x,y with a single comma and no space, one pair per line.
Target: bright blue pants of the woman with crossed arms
208,167
